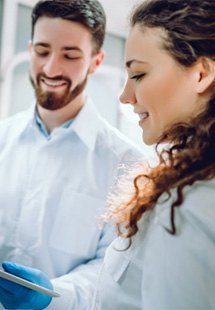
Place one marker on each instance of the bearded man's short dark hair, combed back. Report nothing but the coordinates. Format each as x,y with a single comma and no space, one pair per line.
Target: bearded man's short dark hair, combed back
89,13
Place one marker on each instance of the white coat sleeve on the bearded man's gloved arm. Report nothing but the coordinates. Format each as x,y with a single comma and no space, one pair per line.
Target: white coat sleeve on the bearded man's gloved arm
77,287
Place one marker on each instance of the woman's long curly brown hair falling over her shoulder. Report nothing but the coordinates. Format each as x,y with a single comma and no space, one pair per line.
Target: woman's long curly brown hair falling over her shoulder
189,28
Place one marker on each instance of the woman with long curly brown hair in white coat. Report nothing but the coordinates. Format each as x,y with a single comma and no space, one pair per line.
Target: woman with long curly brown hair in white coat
164,257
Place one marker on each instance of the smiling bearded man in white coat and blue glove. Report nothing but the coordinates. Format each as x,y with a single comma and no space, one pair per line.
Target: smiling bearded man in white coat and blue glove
58,162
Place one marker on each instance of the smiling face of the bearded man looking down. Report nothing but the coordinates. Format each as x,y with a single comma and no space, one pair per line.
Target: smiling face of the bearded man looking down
61,60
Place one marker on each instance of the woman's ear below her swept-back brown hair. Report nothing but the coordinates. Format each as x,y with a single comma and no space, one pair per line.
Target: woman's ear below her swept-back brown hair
205,74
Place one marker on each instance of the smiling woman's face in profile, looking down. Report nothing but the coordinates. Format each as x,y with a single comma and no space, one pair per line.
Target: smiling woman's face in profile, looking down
161,91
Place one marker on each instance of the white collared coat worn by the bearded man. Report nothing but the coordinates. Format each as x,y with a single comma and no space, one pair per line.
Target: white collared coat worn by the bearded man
52,193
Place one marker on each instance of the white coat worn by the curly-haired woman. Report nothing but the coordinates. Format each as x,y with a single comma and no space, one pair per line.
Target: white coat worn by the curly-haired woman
161,271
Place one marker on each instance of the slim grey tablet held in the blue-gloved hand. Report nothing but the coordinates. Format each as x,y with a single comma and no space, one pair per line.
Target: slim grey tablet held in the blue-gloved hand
10,277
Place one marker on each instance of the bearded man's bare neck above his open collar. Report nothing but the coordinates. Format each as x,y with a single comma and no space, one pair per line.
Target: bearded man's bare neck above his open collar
54,119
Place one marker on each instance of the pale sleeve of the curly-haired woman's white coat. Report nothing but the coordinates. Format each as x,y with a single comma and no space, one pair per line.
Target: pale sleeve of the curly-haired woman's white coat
179,269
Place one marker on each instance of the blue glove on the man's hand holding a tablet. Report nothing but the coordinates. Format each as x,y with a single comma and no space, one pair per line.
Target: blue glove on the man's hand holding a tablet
15,296
